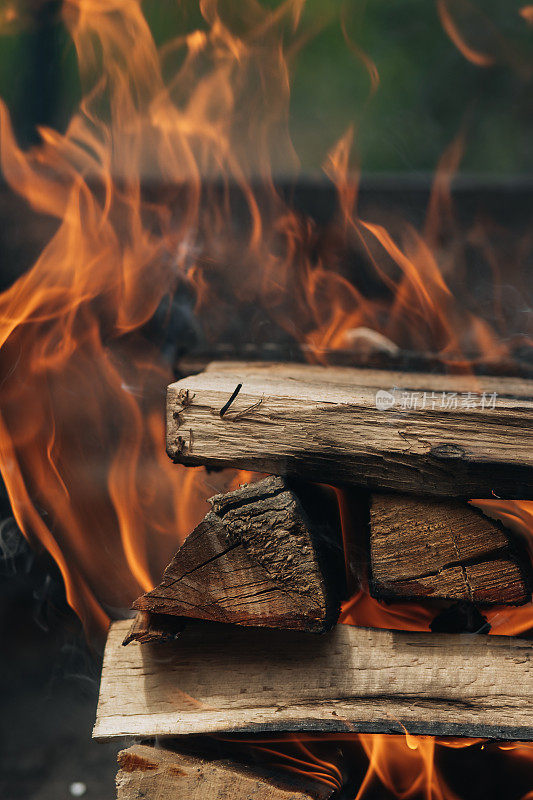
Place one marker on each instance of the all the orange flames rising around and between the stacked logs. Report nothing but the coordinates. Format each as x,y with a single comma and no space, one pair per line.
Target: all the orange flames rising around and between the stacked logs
81,408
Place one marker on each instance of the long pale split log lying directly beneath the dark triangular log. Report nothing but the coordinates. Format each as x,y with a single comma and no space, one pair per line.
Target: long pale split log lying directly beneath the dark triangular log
219,678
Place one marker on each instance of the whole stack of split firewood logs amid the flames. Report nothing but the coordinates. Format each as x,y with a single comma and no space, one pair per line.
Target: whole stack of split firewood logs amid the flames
272,556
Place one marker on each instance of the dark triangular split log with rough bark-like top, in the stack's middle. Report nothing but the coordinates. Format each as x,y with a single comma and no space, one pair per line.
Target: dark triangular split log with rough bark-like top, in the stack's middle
267,554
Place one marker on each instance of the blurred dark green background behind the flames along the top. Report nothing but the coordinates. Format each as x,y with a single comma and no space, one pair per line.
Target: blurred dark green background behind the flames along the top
428,90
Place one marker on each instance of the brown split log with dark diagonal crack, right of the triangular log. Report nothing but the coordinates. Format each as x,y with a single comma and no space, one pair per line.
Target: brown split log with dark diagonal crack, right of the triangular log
443,549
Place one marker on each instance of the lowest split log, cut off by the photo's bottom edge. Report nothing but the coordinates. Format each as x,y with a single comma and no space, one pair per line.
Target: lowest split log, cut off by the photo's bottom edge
158,774
